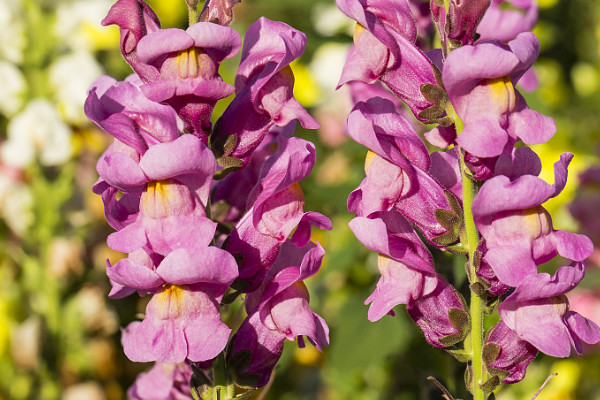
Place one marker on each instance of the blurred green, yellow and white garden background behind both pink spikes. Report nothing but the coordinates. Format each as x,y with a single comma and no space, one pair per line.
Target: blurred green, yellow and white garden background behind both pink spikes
59,332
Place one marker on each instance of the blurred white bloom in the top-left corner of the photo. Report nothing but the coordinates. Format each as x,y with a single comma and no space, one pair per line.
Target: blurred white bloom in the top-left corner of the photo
12,34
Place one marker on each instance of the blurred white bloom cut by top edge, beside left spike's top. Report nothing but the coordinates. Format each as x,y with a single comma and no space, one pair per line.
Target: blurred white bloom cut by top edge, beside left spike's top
78,22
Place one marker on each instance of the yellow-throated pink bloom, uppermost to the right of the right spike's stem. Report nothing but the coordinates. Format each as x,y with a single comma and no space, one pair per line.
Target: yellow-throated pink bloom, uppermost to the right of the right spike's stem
494,114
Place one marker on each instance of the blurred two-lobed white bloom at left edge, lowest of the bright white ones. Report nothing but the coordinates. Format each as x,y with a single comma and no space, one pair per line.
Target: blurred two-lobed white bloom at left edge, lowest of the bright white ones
38,129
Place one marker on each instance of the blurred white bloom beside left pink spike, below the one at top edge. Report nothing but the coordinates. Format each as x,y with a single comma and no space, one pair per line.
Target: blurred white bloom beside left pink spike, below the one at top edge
71,76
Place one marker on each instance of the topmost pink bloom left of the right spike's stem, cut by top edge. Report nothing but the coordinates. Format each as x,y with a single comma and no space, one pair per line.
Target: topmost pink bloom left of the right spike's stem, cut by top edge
384,48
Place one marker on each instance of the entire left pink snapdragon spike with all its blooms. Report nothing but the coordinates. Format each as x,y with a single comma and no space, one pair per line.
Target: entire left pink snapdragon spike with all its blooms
206,212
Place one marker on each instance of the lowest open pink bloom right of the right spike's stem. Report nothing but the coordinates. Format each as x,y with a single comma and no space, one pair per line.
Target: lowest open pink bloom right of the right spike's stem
538,311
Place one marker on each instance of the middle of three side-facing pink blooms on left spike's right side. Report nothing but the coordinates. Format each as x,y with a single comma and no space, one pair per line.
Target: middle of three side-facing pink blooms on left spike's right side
275,207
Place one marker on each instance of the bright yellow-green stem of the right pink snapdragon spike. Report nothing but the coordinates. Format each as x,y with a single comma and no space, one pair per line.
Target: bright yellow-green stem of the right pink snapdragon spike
476,308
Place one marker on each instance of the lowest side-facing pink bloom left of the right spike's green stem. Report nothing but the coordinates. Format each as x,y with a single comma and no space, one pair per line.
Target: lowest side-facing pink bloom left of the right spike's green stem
408,277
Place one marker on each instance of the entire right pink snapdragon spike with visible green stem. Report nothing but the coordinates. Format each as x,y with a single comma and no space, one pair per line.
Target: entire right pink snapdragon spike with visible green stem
481,196
